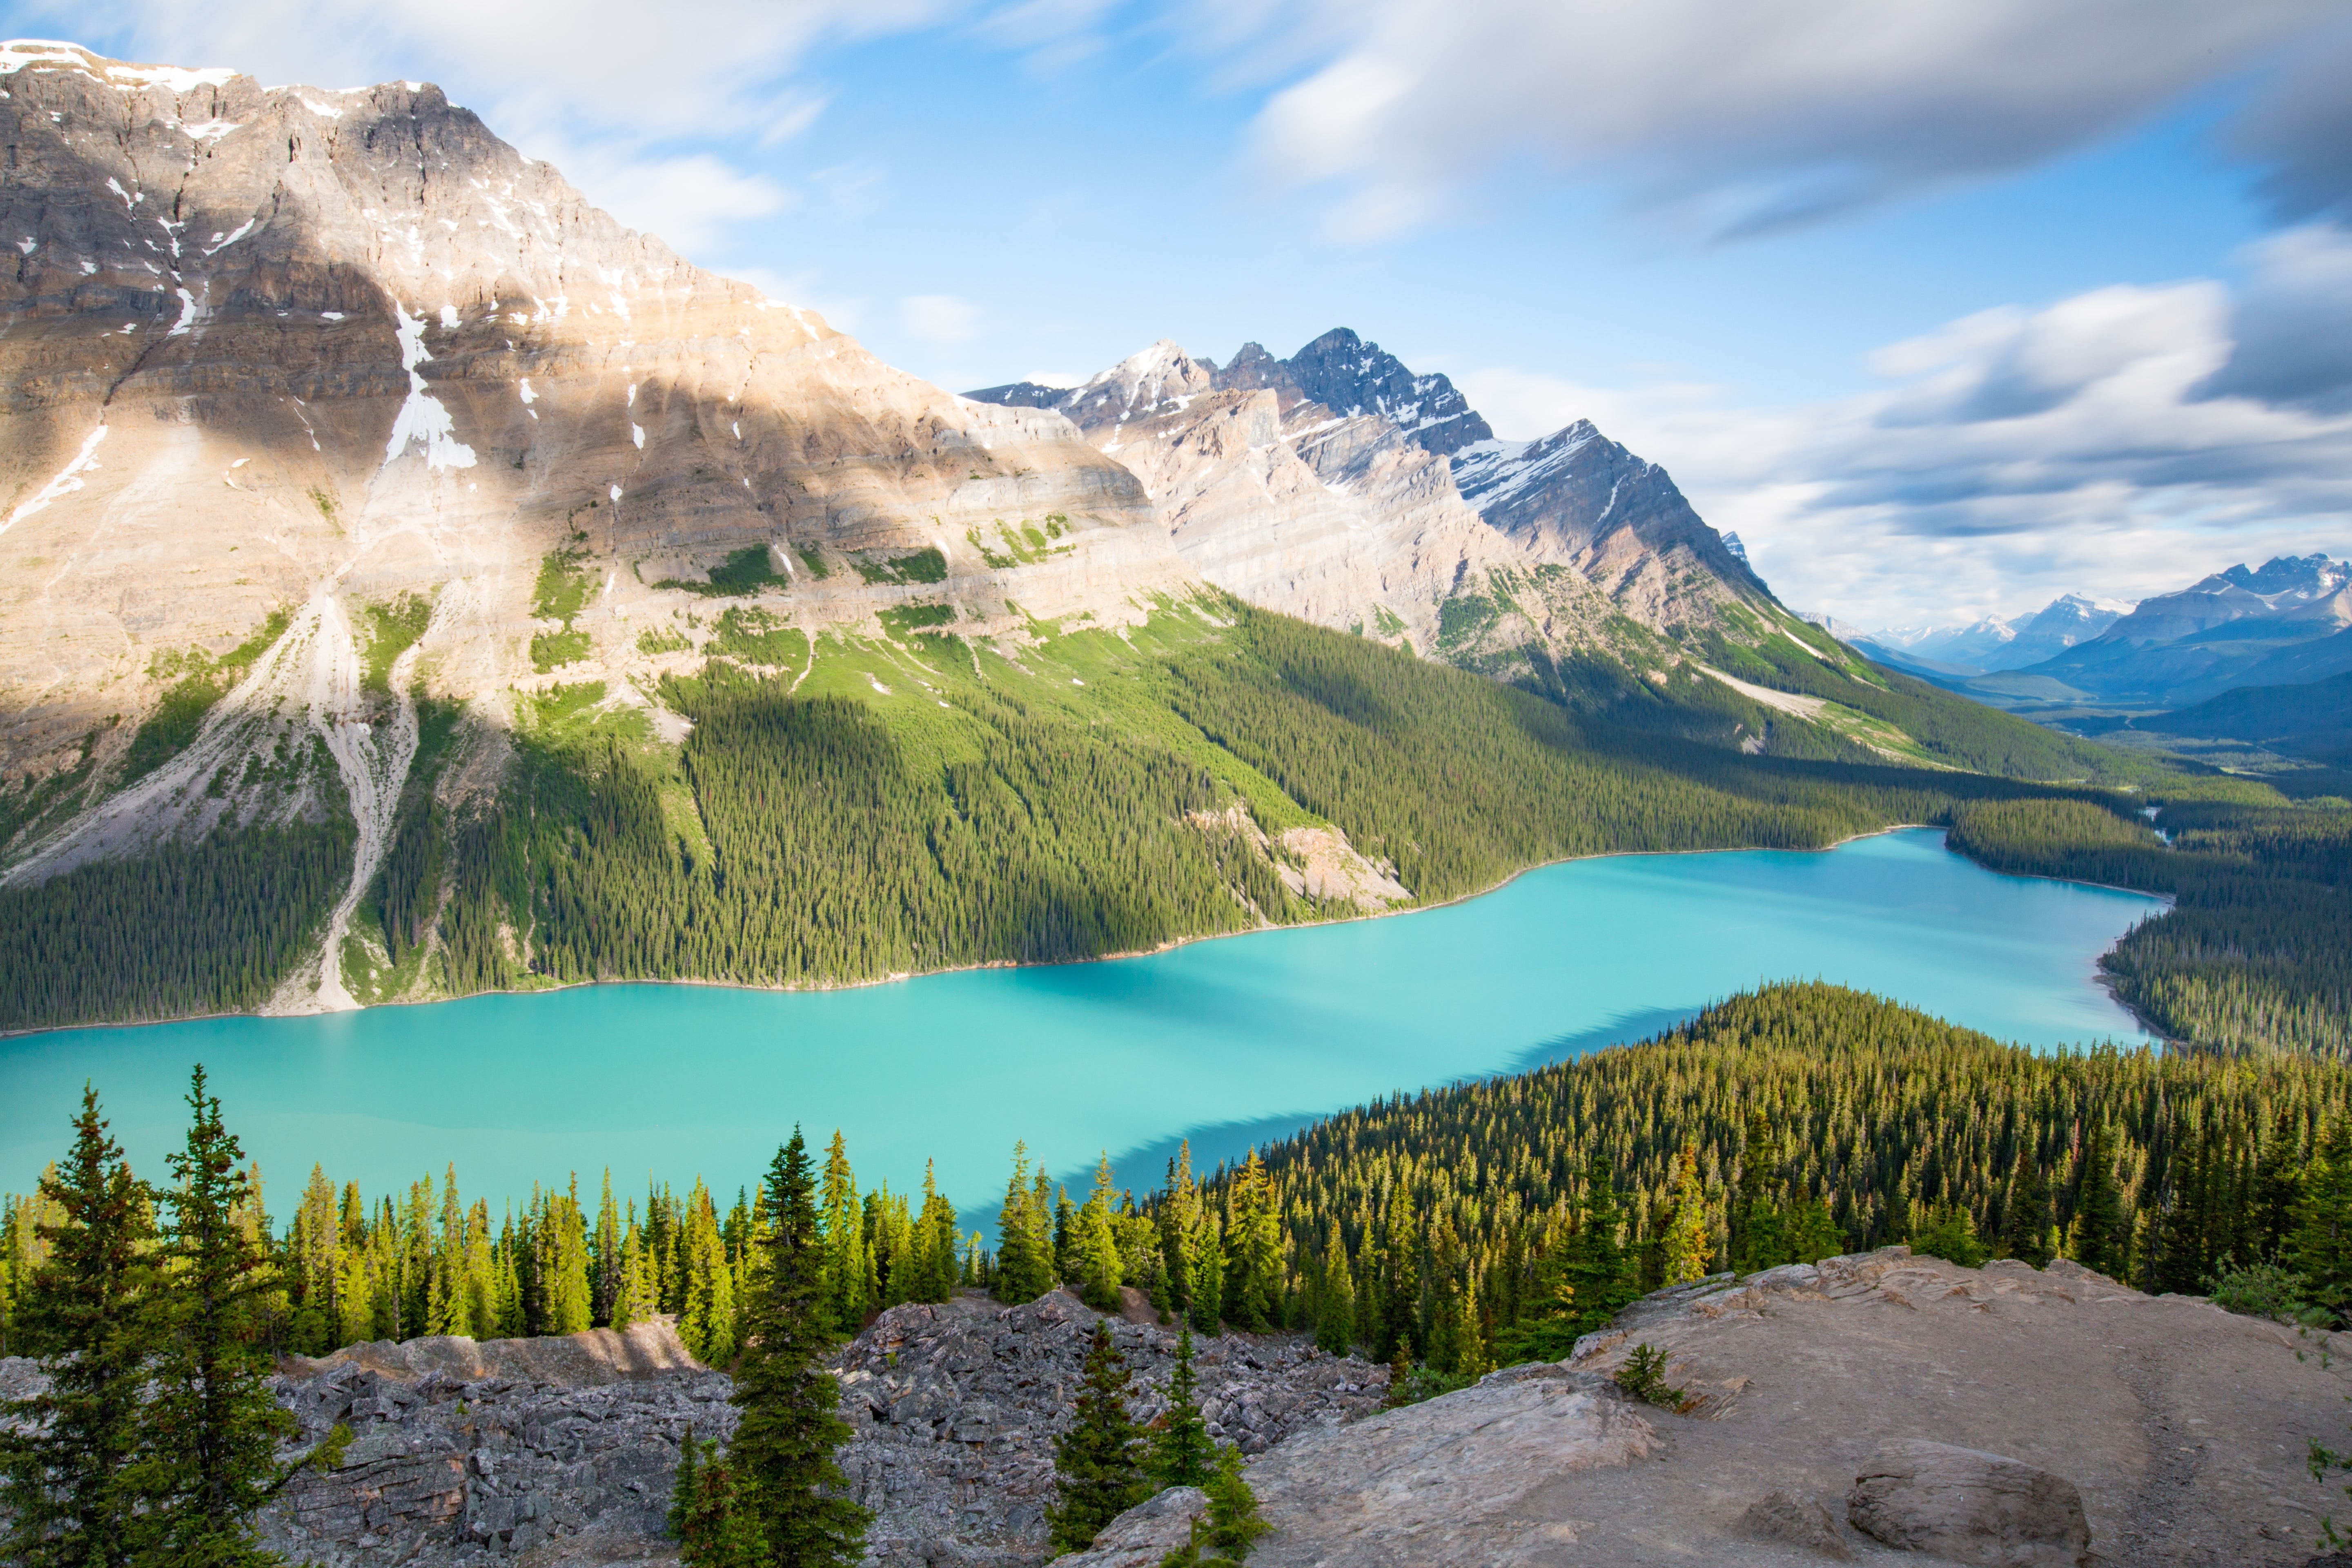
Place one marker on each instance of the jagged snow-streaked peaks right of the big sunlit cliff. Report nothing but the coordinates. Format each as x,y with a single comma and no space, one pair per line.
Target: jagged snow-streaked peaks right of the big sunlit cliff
1347,490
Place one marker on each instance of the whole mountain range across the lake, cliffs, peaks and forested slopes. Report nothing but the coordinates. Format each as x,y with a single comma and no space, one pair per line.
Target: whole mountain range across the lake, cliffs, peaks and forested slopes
413,584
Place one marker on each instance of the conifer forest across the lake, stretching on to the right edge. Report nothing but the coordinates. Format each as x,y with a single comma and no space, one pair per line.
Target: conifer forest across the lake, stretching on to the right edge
1005,822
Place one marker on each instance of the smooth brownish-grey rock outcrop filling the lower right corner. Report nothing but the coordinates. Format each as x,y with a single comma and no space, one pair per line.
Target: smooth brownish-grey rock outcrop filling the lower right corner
2146,1430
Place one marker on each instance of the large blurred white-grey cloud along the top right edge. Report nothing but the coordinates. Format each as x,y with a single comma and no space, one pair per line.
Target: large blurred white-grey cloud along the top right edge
1725,116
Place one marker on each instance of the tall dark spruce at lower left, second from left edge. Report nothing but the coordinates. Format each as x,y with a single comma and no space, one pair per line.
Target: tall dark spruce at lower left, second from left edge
213,1423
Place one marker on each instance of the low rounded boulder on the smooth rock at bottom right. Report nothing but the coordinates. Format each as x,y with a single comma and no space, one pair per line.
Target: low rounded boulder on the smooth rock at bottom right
1970,1508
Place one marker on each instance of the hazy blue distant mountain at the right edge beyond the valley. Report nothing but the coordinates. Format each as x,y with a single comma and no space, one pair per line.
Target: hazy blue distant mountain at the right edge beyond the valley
2238,626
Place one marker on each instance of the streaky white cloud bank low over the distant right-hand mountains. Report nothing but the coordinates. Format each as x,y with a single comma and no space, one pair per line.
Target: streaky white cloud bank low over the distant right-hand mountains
2012,455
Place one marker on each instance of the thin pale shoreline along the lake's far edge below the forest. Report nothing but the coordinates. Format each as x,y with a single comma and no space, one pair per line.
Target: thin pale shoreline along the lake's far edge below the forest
1140,953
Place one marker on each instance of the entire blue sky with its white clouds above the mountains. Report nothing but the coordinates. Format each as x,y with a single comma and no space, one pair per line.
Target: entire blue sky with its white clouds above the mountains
1944,309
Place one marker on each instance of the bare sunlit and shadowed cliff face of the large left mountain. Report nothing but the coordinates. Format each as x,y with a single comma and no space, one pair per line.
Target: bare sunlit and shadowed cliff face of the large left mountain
276,349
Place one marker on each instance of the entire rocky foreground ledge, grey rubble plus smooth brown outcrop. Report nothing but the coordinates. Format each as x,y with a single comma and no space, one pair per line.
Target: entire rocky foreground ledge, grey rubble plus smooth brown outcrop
1866,1409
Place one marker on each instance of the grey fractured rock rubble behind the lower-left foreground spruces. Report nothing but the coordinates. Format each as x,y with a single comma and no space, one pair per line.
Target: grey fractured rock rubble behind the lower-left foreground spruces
563,1449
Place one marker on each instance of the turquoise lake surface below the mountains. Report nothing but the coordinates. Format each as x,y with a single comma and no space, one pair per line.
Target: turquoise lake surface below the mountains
1229,1043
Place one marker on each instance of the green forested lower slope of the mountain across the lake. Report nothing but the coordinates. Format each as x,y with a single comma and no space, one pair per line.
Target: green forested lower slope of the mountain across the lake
846,812
